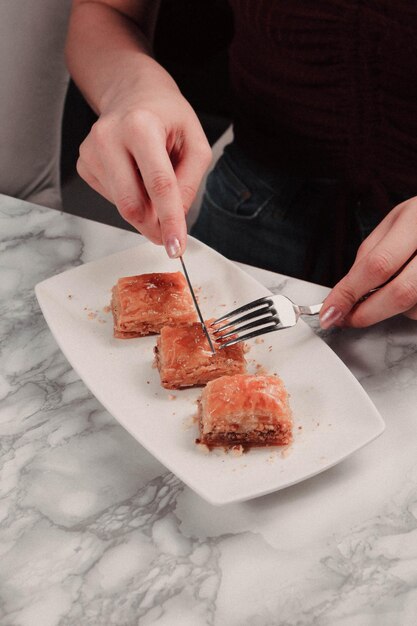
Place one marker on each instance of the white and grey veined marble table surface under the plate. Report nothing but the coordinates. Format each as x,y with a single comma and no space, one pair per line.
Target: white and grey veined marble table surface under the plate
95,531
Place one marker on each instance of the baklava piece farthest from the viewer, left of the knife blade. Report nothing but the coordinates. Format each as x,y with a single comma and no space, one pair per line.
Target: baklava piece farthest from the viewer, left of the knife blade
143,304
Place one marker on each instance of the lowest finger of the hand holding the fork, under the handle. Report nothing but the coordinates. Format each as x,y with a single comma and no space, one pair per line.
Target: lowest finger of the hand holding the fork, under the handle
398,296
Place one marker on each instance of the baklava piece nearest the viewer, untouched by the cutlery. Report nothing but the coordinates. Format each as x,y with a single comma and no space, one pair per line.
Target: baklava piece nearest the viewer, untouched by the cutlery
245,410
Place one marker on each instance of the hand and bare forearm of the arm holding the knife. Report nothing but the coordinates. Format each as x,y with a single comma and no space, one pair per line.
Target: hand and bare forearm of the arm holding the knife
147,152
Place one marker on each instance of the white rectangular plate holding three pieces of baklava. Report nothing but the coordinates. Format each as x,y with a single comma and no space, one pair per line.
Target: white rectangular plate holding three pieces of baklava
333,415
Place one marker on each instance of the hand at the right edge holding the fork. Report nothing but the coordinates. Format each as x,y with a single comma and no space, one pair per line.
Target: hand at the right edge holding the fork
388,254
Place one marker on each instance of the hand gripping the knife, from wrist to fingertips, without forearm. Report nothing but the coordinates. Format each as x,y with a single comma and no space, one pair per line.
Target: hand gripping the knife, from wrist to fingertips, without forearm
147,154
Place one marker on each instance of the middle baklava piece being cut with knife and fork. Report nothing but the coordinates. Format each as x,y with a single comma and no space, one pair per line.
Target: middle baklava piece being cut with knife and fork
184,358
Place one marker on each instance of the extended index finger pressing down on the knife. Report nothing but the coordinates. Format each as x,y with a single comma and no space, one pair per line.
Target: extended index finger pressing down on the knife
161,184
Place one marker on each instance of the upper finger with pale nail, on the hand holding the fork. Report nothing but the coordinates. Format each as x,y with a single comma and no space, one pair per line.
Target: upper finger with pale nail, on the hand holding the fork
372,270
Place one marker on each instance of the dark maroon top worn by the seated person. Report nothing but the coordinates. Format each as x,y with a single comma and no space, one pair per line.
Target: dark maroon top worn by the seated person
328,88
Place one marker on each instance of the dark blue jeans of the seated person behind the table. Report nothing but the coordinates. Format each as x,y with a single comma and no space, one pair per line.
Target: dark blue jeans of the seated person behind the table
306,228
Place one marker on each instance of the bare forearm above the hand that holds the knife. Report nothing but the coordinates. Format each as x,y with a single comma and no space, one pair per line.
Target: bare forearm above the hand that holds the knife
109,49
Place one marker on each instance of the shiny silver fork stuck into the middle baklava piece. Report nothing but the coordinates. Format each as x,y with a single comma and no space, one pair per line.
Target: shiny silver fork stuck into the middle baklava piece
267,315
